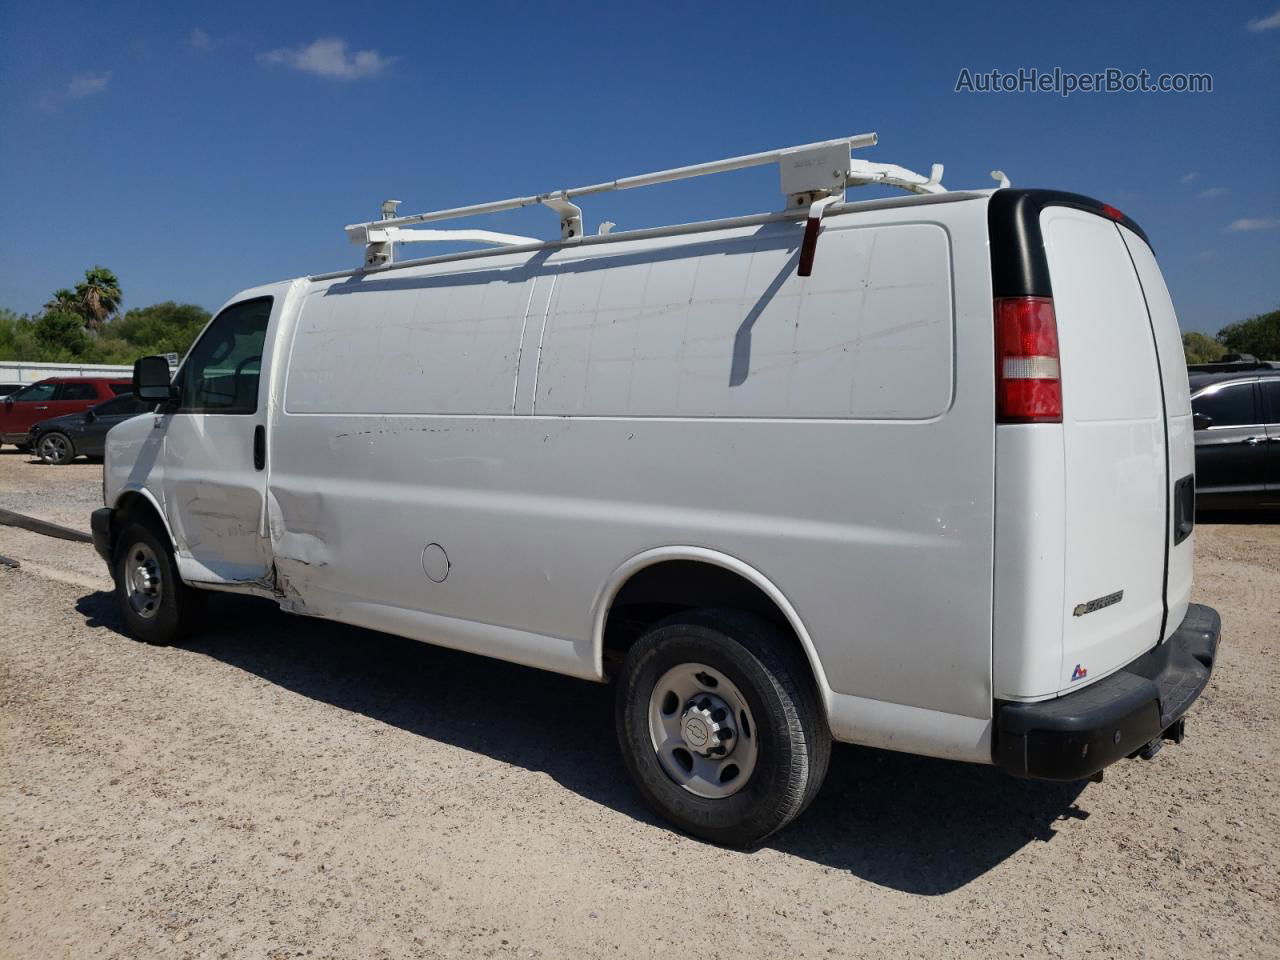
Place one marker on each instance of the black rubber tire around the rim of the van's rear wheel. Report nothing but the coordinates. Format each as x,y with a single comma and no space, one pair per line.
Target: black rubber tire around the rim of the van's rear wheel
758,808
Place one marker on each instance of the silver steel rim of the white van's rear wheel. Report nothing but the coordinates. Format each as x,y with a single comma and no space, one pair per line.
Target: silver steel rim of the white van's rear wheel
702,732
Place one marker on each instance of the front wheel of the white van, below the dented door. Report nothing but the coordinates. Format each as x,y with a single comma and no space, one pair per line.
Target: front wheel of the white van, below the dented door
157,606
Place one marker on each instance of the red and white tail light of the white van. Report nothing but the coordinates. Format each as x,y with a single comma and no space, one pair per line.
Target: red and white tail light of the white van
1028,381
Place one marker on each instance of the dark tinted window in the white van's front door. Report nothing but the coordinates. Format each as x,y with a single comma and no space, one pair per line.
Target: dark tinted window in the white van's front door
222,371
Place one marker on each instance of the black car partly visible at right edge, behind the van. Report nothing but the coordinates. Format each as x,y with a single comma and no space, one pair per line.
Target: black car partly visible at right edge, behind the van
1237,420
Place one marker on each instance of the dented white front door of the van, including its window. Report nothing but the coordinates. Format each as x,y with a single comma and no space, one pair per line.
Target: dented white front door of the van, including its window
214,476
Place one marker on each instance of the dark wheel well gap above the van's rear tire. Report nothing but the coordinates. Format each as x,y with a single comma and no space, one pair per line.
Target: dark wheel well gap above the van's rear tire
673,587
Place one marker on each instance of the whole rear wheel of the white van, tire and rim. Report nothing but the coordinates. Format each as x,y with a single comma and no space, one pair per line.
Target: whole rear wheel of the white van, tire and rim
721,726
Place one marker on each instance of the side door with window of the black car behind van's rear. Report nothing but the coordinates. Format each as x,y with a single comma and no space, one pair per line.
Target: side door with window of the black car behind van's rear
1232,450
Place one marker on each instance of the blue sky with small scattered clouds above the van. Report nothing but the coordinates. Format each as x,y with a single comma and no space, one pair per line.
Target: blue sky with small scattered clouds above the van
202,149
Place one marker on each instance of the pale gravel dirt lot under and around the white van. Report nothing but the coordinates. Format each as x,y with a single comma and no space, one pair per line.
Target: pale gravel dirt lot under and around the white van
287,788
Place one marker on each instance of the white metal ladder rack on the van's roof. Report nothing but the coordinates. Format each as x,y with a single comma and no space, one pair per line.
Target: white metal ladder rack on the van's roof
812,176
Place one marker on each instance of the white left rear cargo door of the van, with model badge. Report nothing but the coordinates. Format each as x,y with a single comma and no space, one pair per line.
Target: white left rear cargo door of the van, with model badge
1117,476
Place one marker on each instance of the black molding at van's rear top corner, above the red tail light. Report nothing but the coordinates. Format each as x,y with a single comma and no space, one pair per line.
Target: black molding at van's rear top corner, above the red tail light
1018,263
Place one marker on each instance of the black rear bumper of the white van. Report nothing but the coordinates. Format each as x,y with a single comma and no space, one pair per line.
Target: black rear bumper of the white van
1077,735
